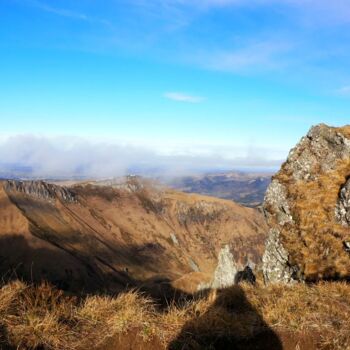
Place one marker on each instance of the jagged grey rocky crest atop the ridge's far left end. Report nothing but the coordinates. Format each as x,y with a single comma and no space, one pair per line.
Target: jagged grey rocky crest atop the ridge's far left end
40,190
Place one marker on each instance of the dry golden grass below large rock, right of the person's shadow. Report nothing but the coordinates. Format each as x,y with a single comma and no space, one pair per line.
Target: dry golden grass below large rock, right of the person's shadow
322,309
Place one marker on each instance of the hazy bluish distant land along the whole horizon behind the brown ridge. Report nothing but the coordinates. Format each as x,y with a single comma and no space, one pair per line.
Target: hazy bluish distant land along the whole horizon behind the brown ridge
246,188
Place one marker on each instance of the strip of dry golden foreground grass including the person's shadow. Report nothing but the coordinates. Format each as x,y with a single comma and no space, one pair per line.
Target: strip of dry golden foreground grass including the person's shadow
33,317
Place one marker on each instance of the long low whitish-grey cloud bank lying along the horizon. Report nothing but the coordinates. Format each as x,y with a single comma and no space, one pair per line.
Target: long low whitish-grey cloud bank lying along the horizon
30,156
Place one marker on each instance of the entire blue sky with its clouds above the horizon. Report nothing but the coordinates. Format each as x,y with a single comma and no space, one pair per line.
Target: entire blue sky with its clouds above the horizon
101,88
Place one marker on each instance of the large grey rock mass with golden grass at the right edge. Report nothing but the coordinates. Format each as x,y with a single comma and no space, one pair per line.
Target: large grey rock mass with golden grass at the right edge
307,207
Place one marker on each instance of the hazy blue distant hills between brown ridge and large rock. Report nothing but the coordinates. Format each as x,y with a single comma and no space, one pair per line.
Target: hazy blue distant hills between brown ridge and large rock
245,188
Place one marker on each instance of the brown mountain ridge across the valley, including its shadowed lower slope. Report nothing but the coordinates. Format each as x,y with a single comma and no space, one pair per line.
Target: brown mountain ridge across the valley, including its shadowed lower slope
93,237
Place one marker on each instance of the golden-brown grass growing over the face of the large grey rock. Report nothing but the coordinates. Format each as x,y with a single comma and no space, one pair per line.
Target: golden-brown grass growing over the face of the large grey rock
315,242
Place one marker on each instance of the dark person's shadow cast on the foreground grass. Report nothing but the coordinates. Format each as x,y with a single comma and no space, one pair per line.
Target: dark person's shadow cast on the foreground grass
231,322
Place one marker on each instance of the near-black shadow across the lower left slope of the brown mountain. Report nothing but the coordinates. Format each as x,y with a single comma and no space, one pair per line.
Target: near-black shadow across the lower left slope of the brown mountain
79,275
